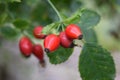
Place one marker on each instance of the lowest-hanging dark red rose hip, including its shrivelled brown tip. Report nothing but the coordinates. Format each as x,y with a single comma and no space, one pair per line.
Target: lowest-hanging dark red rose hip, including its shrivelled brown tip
39,53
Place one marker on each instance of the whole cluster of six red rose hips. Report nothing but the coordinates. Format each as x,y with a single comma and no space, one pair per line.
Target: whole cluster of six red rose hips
51,41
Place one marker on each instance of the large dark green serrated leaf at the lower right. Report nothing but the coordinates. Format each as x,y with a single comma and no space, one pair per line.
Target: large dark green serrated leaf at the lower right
96,63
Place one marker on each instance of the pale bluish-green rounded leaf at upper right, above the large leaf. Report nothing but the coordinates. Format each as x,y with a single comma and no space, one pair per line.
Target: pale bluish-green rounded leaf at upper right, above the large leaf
89,19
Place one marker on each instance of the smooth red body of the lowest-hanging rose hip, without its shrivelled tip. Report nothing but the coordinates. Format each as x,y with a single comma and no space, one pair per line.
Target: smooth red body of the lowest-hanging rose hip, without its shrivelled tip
38,51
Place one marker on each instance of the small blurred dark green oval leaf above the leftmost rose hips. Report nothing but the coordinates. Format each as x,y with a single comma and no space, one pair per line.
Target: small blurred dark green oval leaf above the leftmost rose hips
21,24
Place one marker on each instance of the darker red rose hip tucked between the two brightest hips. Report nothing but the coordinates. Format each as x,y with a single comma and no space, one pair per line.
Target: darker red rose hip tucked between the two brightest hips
65,41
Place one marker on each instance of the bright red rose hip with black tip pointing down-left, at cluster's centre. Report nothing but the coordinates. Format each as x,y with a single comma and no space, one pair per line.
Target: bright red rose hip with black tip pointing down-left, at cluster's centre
51,43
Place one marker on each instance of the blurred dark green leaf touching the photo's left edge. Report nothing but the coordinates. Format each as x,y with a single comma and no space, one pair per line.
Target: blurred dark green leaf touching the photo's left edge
8,32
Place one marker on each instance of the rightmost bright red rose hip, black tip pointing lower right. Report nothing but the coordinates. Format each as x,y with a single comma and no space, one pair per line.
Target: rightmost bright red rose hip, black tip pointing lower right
73,32
